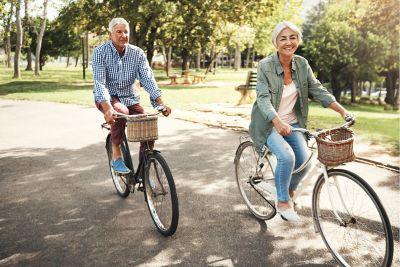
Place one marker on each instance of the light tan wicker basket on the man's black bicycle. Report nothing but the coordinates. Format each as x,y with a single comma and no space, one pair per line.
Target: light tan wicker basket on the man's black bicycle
142,129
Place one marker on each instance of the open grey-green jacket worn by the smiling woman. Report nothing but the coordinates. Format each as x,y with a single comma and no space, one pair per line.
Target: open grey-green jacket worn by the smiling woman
269,93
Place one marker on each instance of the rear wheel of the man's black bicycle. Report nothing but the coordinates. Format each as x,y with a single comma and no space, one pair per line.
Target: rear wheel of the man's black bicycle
120,181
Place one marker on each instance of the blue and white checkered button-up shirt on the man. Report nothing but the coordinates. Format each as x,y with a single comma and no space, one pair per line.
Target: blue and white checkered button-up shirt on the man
114,75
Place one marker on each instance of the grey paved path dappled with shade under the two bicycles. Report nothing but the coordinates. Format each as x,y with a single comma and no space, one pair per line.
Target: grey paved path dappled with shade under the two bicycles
58,206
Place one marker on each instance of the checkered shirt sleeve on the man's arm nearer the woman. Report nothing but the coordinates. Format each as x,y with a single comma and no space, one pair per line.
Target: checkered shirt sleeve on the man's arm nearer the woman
147,80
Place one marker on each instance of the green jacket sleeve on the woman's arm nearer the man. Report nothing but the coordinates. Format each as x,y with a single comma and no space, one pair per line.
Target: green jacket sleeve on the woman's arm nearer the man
263,94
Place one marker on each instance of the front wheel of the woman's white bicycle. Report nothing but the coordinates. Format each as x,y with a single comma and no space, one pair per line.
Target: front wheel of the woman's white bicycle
360,233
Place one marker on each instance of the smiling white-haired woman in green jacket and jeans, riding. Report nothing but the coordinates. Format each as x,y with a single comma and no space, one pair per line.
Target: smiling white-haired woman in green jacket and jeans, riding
285,81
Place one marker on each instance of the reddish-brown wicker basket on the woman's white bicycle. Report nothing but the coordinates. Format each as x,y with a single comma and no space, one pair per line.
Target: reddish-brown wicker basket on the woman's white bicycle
335,146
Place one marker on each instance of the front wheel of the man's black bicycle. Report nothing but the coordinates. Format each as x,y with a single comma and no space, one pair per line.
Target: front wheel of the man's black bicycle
161,197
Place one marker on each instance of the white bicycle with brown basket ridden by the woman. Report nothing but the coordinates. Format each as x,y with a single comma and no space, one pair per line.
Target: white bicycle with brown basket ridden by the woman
346,211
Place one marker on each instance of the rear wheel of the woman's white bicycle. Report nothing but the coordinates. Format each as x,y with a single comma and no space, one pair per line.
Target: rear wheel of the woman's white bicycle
260,204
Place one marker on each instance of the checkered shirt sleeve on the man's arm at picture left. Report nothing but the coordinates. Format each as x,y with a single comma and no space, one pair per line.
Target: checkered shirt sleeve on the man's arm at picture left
100,91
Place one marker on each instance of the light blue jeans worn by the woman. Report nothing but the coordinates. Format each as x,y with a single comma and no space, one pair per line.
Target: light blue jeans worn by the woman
290,151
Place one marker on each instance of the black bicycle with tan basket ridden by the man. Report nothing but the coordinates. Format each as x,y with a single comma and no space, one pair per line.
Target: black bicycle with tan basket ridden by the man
152,175
